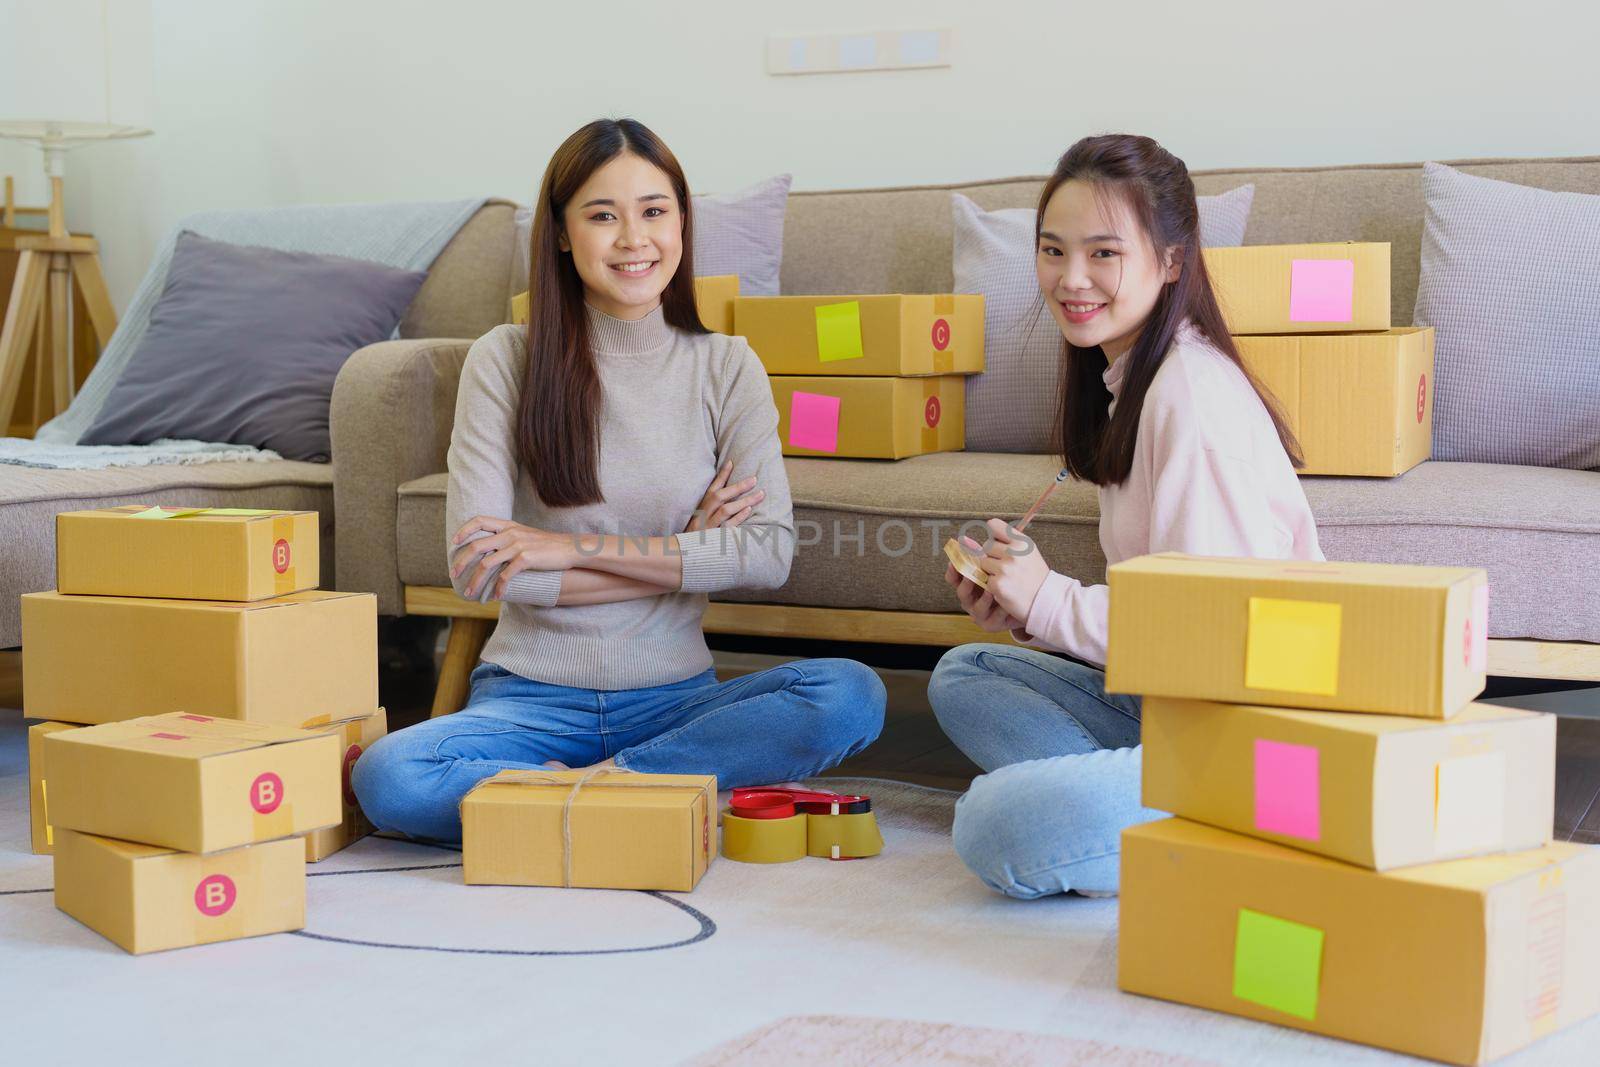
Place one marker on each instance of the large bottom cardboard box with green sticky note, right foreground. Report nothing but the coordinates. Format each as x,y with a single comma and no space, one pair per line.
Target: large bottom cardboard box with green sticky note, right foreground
1462,962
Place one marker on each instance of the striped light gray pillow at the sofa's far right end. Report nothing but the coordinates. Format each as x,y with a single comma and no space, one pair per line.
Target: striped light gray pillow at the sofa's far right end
1511,284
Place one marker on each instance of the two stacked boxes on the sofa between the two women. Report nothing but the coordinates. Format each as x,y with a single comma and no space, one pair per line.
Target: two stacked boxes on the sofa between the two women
866,377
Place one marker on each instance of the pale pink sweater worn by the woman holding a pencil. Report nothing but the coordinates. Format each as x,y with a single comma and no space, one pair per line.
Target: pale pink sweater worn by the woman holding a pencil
1210,478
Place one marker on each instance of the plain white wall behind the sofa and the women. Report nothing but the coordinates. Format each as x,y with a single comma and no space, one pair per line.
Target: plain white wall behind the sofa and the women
295,102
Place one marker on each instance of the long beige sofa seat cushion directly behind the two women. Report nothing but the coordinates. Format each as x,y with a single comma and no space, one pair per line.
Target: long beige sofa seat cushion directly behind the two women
1535,530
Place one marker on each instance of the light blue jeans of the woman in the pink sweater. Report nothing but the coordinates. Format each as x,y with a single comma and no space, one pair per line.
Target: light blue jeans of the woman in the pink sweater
1063,769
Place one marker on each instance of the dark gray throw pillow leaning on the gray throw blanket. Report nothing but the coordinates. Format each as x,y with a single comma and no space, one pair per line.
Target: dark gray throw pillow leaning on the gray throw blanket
246,343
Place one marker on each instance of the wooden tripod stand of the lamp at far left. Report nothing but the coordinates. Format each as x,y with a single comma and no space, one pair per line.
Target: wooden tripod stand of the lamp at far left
42,306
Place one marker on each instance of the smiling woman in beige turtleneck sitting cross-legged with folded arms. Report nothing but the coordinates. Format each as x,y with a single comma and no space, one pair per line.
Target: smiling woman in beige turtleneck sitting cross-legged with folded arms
610,466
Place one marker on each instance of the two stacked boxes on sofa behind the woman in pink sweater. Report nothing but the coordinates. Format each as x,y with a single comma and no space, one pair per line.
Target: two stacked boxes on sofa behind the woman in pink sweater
1311,322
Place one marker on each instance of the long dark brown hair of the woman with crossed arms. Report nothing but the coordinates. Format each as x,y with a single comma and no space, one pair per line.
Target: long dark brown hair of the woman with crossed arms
559,412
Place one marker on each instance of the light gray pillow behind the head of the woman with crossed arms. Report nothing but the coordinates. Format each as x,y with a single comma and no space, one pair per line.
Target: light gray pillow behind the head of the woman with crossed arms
738,233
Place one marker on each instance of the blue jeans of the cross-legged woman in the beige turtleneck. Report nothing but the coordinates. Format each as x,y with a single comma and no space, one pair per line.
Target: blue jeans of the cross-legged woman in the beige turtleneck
783,724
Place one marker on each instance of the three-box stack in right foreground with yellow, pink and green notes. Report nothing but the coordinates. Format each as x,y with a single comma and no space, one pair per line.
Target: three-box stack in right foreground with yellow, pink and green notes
1377,868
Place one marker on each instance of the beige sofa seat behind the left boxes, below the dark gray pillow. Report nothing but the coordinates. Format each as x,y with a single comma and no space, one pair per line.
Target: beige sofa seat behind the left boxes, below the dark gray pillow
31,498
